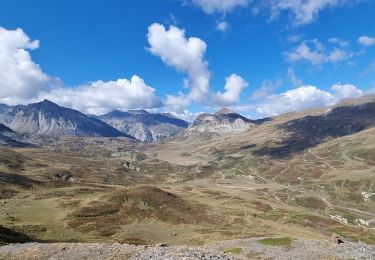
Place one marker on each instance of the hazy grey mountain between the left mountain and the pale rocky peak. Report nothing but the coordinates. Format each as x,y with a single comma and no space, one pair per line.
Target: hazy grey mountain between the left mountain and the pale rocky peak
144,126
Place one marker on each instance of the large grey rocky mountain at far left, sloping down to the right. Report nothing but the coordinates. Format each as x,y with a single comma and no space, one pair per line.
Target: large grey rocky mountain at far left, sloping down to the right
47,118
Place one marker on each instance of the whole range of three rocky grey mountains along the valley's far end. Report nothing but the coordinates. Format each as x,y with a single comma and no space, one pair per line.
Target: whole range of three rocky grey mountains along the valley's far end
49,119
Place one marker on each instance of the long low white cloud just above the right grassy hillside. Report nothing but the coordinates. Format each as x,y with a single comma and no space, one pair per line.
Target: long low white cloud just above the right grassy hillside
306,97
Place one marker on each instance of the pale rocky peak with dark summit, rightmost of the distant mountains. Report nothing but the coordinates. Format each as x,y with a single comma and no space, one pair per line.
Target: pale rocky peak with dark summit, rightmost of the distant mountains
224,121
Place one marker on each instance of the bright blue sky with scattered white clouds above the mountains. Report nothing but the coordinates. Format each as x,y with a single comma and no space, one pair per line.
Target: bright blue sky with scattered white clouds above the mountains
258,57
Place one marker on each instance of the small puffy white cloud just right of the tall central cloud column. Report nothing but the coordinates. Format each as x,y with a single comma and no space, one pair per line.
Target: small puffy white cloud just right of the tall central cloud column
233,88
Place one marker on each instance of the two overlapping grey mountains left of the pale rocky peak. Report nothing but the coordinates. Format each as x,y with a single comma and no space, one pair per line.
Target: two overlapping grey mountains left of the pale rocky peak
49,119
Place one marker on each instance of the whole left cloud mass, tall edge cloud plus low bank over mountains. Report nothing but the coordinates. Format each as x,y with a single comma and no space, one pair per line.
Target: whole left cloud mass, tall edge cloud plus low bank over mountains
23,81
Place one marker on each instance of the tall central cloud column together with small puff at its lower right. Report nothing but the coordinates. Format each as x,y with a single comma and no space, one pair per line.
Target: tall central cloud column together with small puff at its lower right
187,55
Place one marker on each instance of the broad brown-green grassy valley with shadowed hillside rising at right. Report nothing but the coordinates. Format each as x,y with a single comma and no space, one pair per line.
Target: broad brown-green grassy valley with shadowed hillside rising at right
195,189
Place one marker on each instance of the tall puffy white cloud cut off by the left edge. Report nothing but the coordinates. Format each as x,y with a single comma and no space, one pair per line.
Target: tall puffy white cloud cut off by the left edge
20,78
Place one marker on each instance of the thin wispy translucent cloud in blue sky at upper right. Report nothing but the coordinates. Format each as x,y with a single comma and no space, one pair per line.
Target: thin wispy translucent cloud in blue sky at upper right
316,53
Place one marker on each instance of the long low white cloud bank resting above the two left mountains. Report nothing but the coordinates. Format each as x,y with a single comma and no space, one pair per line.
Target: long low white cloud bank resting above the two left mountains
100,97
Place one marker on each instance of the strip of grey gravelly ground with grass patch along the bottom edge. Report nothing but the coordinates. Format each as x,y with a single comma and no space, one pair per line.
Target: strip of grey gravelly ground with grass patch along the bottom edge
231,249
